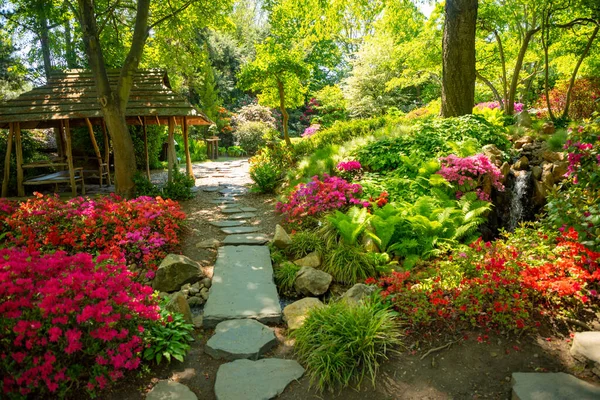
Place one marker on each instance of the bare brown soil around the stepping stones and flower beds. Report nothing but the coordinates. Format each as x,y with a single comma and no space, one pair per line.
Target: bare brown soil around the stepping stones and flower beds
468,369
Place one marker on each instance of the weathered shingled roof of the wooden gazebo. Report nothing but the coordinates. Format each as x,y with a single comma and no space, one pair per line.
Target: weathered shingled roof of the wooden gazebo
72,95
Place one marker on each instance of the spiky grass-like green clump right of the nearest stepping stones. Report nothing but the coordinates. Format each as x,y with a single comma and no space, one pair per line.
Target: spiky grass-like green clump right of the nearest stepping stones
342,344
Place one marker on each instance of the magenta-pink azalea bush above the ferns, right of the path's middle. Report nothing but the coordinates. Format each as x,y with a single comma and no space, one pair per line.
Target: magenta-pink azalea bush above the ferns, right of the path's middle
319,196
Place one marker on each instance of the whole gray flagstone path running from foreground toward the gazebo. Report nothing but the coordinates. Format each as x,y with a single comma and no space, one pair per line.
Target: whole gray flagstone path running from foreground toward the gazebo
243,297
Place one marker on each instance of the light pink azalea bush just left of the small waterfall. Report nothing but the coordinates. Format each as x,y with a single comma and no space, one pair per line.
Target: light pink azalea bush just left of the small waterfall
468,173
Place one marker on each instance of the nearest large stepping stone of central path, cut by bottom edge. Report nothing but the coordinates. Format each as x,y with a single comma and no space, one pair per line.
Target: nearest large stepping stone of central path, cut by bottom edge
255,380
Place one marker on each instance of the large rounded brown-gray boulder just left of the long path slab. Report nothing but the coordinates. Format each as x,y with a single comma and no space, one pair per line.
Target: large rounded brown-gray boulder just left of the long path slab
175,271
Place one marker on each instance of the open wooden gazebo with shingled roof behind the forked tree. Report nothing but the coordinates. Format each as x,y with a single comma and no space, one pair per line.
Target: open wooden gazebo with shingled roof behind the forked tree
69,99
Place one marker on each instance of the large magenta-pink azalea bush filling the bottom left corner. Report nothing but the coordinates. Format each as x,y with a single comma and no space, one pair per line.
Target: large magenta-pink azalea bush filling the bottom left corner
68,321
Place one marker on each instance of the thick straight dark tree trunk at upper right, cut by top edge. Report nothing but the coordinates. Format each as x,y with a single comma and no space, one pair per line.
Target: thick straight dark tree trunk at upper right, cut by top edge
458,50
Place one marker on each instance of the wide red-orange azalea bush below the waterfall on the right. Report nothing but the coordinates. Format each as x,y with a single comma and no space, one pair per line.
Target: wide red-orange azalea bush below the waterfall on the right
501,285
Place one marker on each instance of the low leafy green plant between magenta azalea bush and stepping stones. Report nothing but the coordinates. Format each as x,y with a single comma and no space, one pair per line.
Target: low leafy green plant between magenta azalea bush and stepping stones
170,340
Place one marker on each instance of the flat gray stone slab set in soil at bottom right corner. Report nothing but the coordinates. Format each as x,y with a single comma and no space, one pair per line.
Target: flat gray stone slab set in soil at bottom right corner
551,386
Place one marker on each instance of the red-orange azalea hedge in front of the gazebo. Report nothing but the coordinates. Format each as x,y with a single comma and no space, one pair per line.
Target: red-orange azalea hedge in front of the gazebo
143,230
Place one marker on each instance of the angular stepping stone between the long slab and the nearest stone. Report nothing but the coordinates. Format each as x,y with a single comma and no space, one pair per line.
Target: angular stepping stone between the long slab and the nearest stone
240,339
